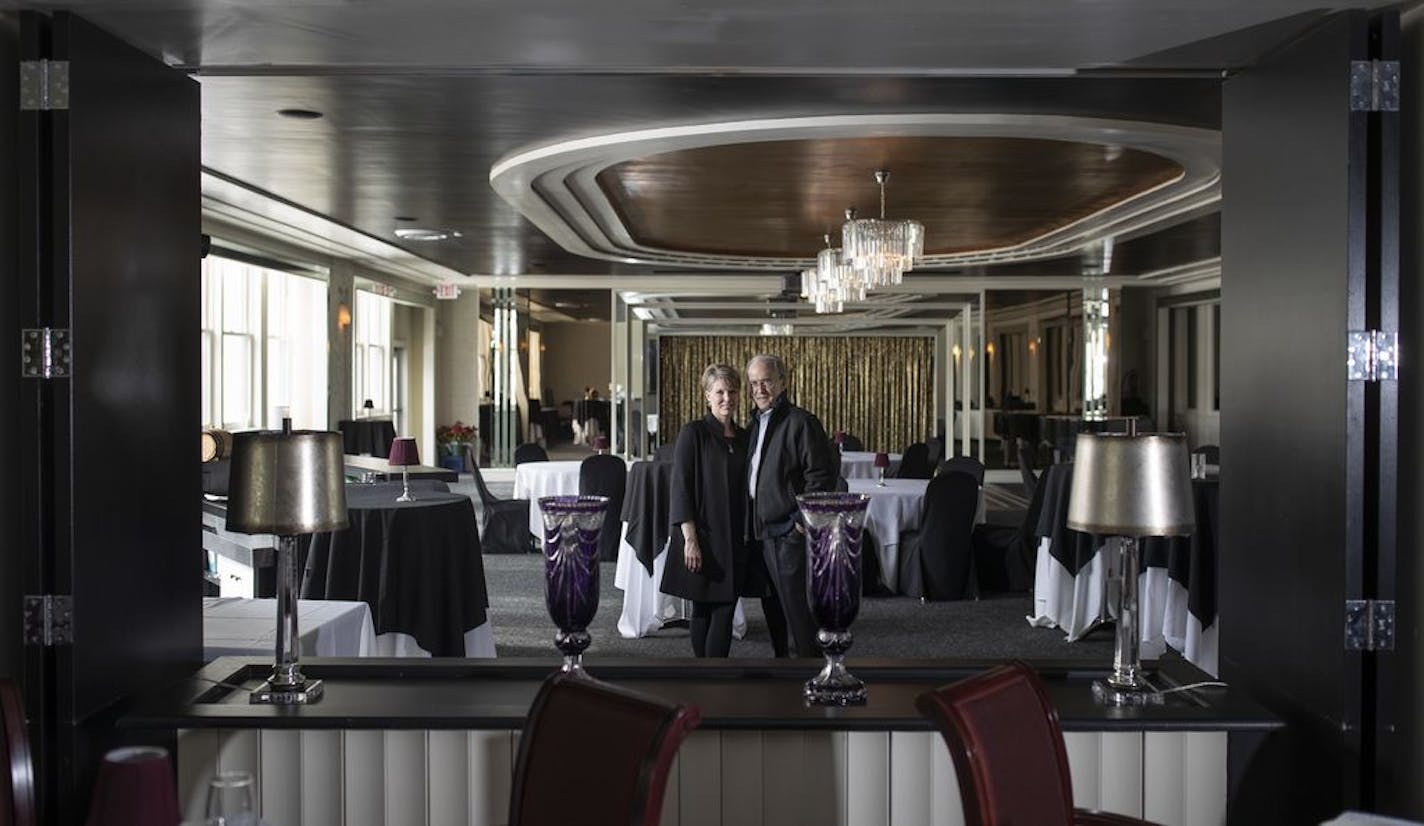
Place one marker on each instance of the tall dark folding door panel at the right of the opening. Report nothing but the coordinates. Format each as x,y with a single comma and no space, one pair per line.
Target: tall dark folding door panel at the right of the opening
1292,546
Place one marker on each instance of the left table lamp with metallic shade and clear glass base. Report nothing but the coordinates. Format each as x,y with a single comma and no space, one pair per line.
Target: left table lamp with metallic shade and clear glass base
287,483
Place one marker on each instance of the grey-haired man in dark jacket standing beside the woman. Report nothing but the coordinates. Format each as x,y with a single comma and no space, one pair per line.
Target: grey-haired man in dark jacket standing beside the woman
791,455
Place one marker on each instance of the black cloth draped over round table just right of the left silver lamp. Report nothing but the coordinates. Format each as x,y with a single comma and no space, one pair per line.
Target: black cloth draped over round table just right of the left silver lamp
417,565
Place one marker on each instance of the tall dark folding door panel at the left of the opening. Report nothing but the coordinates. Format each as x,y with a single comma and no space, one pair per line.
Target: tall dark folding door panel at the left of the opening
127,261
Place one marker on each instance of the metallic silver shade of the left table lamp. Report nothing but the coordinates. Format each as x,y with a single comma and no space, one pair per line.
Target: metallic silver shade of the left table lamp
287,483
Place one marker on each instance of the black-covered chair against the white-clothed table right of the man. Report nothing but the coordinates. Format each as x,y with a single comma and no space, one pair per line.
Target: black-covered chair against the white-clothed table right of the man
948,538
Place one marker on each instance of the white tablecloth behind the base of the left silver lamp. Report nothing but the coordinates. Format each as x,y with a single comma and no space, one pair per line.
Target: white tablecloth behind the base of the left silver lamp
240,627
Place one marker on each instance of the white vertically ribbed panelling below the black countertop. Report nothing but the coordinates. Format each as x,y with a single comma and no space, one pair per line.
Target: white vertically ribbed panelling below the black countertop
357,778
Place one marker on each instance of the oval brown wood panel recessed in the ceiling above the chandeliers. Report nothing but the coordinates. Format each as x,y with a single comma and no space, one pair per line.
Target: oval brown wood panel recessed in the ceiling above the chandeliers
778,199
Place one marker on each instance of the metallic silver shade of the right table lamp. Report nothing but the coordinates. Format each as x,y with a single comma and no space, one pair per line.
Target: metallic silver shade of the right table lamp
1131,486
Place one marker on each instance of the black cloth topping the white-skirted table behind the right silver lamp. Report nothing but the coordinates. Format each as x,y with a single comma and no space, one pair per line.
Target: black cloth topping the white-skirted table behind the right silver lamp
1190,562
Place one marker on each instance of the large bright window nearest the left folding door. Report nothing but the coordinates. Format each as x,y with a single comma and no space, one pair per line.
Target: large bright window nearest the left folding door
263,345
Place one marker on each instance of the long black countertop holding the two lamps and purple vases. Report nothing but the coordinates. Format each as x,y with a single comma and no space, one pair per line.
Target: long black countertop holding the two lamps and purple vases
738,694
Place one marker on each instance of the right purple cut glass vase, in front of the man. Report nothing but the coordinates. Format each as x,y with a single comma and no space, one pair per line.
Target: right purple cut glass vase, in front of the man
835,525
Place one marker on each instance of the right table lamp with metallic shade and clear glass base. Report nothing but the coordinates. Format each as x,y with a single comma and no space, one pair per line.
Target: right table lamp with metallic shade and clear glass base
1131,488
